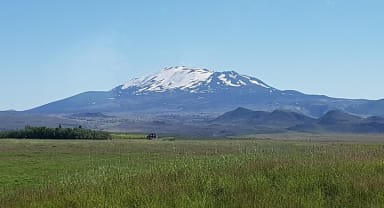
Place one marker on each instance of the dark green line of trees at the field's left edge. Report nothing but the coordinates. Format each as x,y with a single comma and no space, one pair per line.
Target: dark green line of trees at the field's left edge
55,133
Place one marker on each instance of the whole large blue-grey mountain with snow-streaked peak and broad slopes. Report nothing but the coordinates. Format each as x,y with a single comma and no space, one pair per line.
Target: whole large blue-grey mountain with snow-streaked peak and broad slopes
195,90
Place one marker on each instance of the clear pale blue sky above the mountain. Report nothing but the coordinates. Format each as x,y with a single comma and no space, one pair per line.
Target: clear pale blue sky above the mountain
51,49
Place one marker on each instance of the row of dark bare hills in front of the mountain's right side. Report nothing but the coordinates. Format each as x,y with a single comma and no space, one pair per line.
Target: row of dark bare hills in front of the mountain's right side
279,120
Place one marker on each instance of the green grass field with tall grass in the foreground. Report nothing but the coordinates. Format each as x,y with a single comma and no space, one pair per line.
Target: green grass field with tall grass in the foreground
190,173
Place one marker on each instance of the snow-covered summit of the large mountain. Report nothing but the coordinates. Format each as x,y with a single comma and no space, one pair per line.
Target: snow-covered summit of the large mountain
193,80
